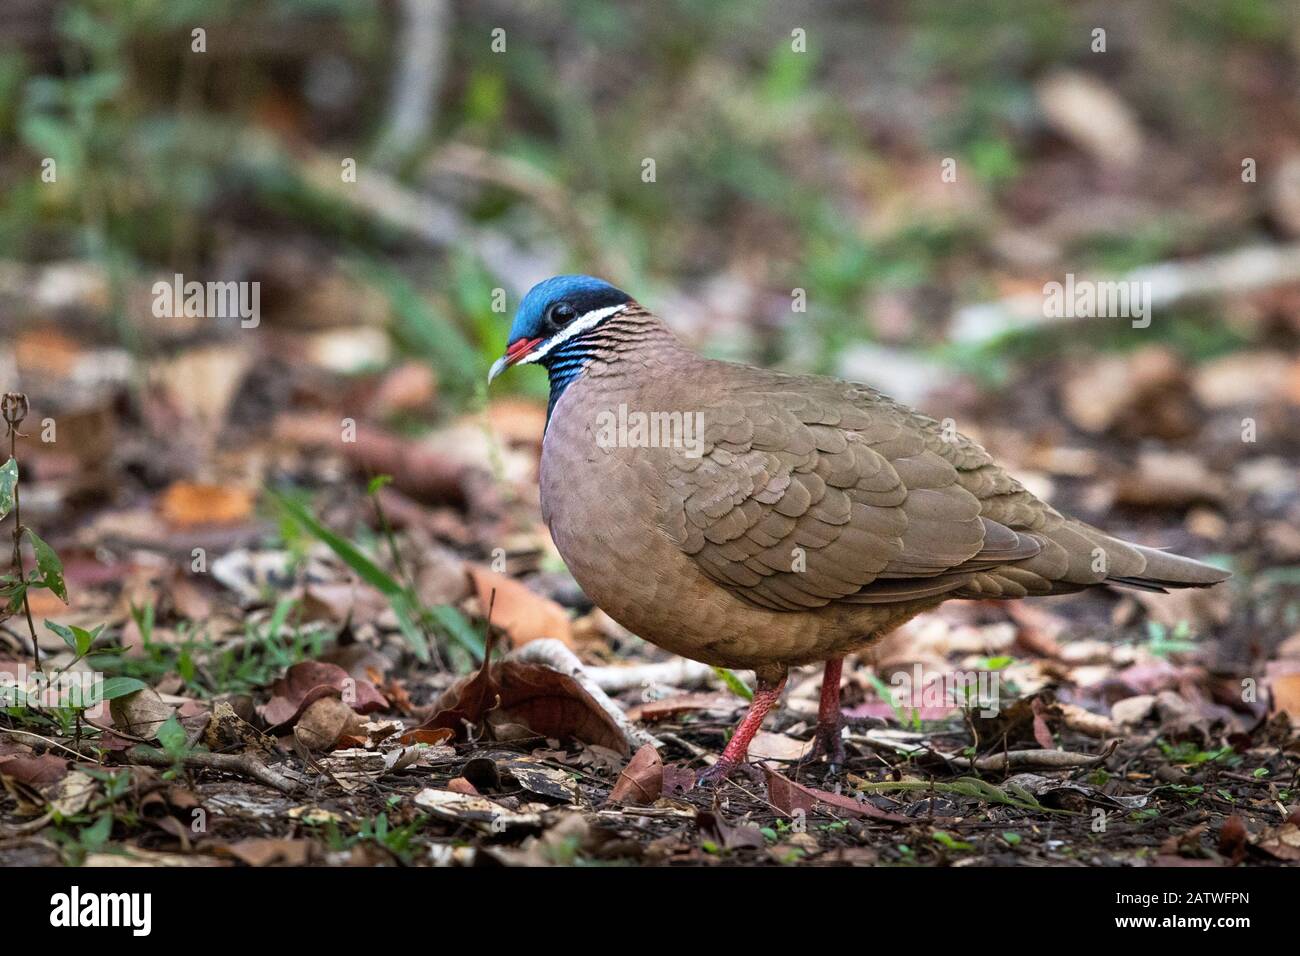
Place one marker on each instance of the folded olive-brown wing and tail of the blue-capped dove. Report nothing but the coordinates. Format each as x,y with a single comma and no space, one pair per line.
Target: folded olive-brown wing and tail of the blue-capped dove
812,492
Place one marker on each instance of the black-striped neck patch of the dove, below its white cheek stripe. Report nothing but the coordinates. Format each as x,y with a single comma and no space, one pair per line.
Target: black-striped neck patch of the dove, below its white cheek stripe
623,344
